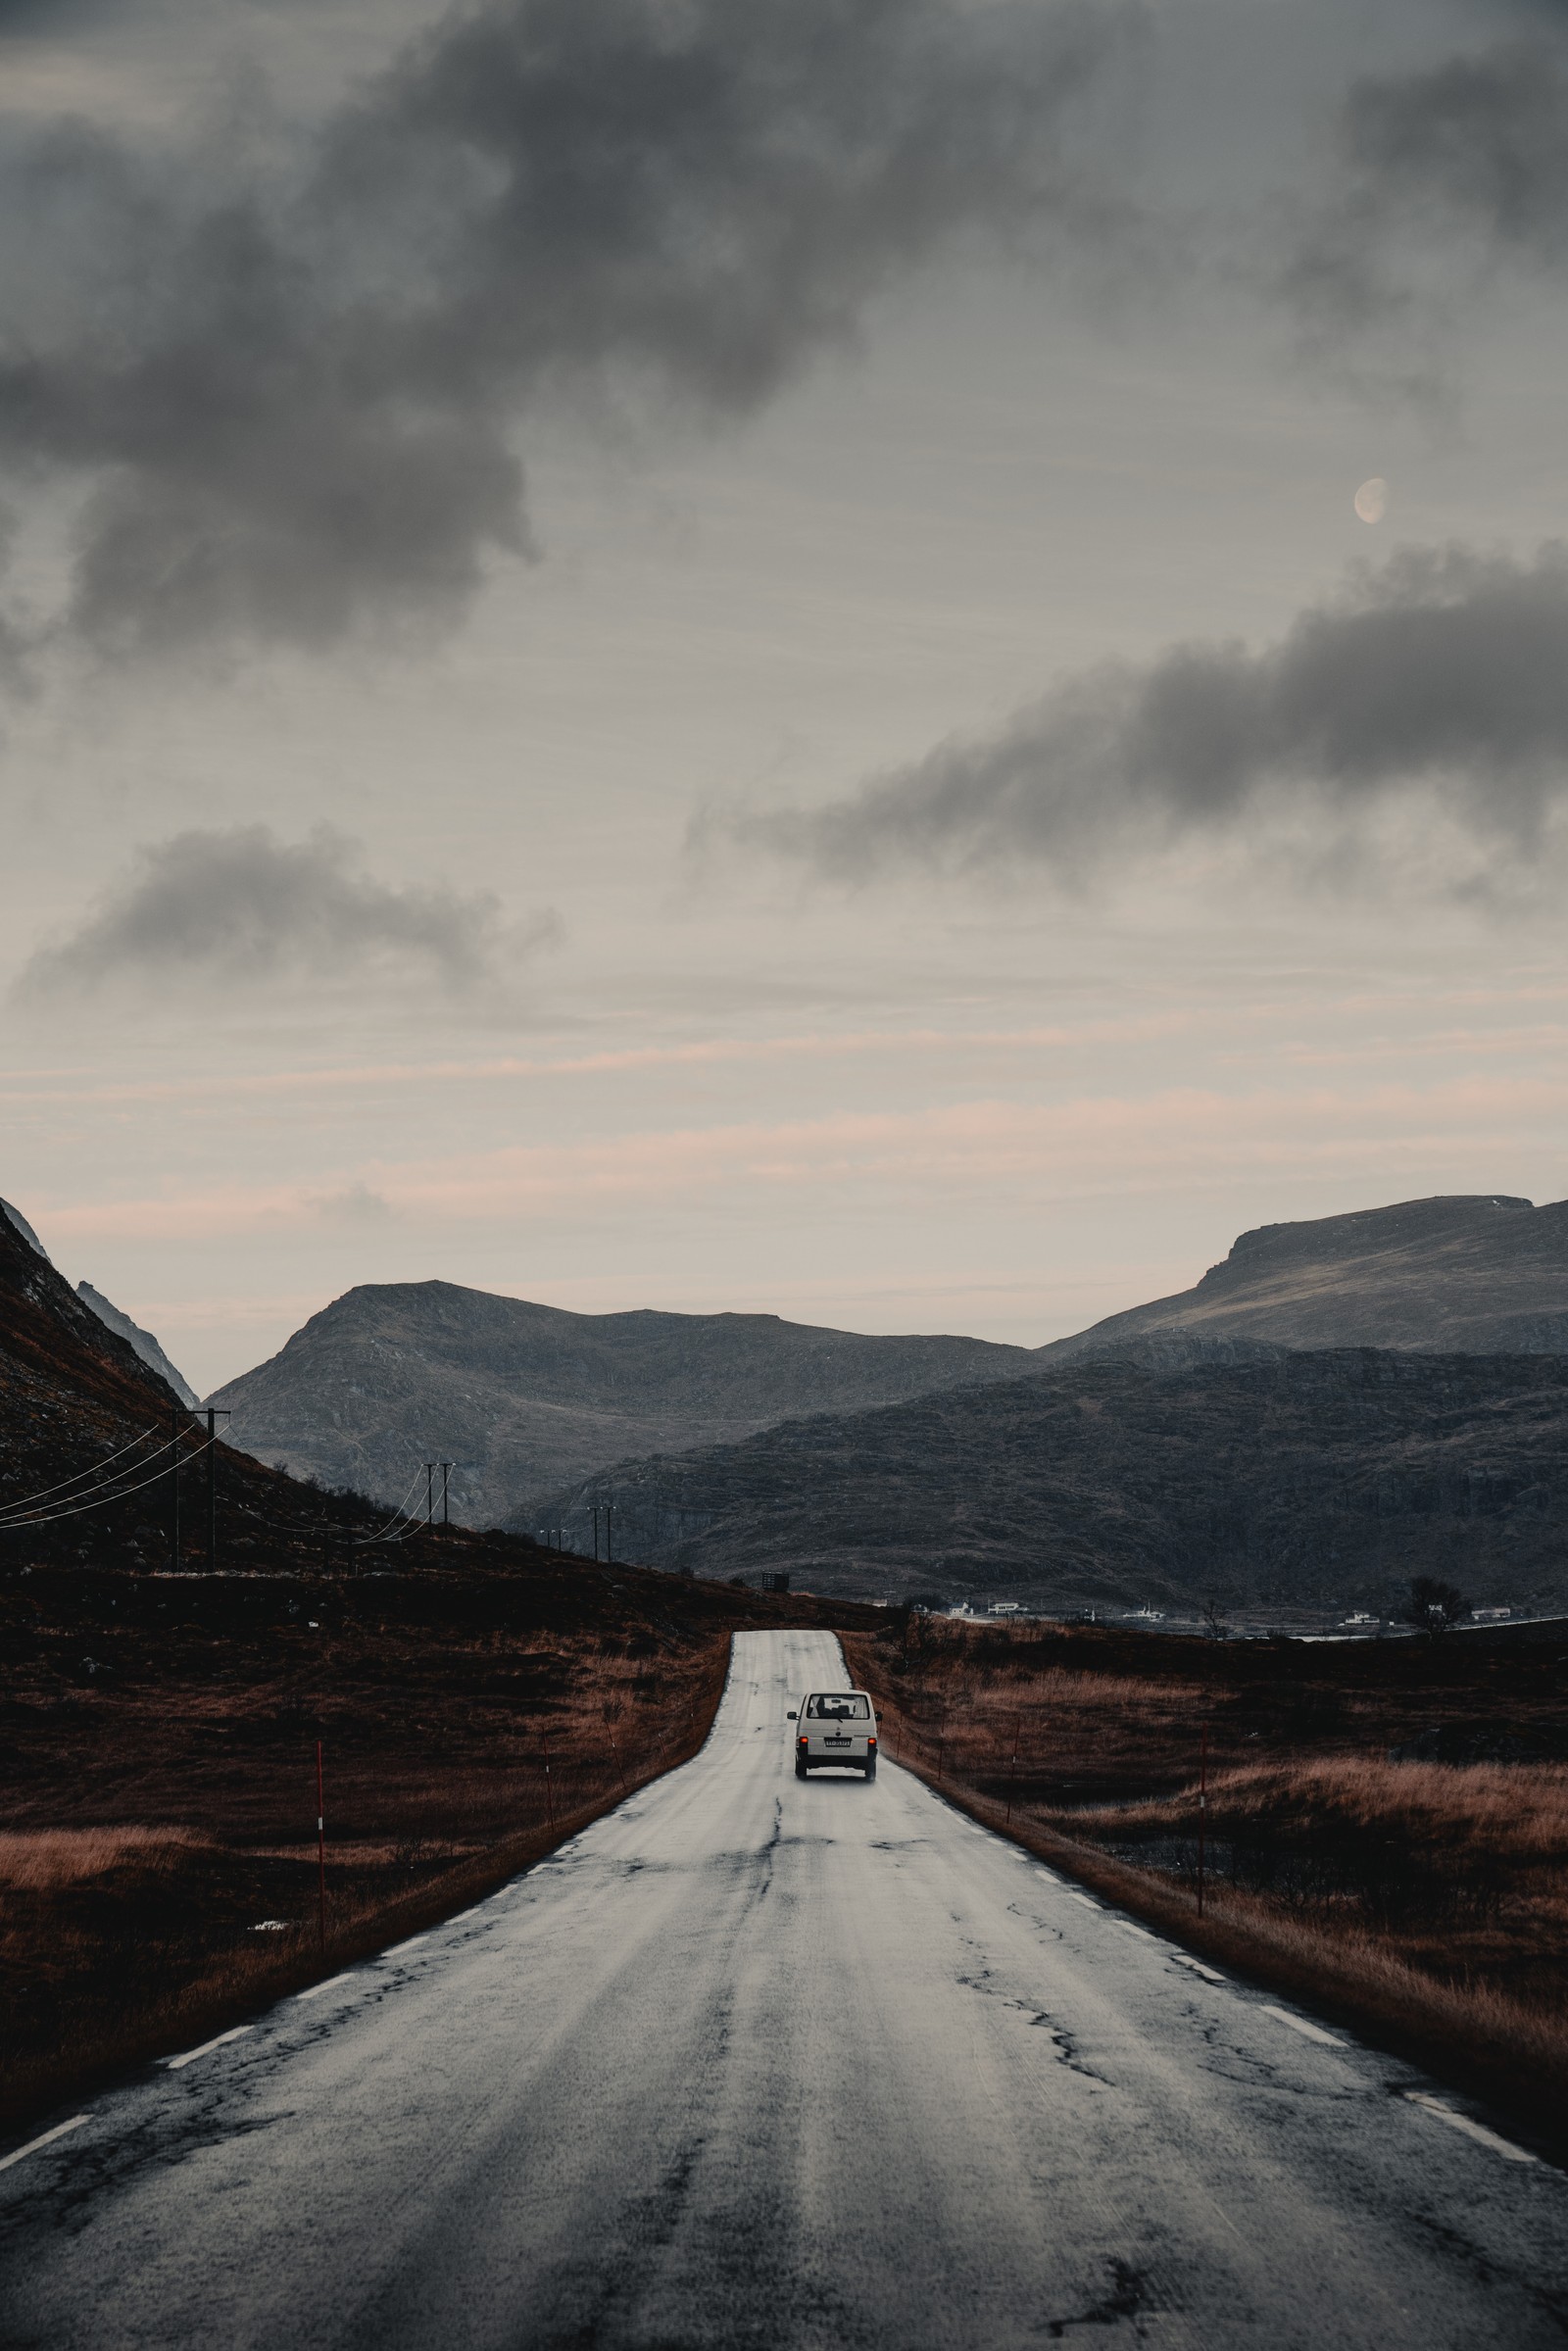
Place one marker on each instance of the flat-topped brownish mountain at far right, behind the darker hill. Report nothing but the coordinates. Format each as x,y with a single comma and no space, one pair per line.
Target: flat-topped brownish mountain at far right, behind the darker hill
1470,1273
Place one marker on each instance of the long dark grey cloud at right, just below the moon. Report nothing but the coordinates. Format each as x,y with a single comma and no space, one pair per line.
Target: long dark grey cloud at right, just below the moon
1445,671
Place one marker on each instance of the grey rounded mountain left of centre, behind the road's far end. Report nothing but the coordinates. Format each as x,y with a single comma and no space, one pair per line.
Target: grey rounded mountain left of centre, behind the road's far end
525,1400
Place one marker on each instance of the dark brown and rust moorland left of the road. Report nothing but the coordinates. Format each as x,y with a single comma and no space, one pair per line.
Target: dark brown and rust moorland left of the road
159,1856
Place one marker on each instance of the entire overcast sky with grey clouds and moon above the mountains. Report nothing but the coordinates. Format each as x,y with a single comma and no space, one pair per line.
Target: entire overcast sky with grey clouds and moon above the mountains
897,662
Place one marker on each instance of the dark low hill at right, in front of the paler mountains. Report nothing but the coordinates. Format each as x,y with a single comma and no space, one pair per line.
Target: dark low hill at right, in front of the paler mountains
1320,1480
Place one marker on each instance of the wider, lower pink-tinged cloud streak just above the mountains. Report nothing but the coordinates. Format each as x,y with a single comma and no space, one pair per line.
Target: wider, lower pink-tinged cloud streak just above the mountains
1388,1139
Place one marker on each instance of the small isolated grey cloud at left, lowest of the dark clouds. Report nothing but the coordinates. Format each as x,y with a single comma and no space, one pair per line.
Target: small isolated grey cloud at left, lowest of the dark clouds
246,906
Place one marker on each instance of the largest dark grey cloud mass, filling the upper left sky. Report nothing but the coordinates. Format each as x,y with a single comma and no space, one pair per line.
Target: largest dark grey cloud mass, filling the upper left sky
293,398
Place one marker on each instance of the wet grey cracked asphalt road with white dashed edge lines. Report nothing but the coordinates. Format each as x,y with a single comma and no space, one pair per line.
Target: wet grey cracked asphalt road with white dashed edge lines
784,2065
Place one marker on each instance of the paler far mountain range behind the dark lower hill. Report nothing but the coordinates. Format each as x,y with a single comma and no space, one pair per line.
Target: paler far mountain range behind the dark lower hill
535,1405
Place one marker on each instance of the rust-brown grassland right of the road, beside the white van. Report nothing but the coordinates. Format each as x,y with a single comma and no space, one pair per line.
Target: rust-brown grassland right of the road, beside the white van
1386,1826
